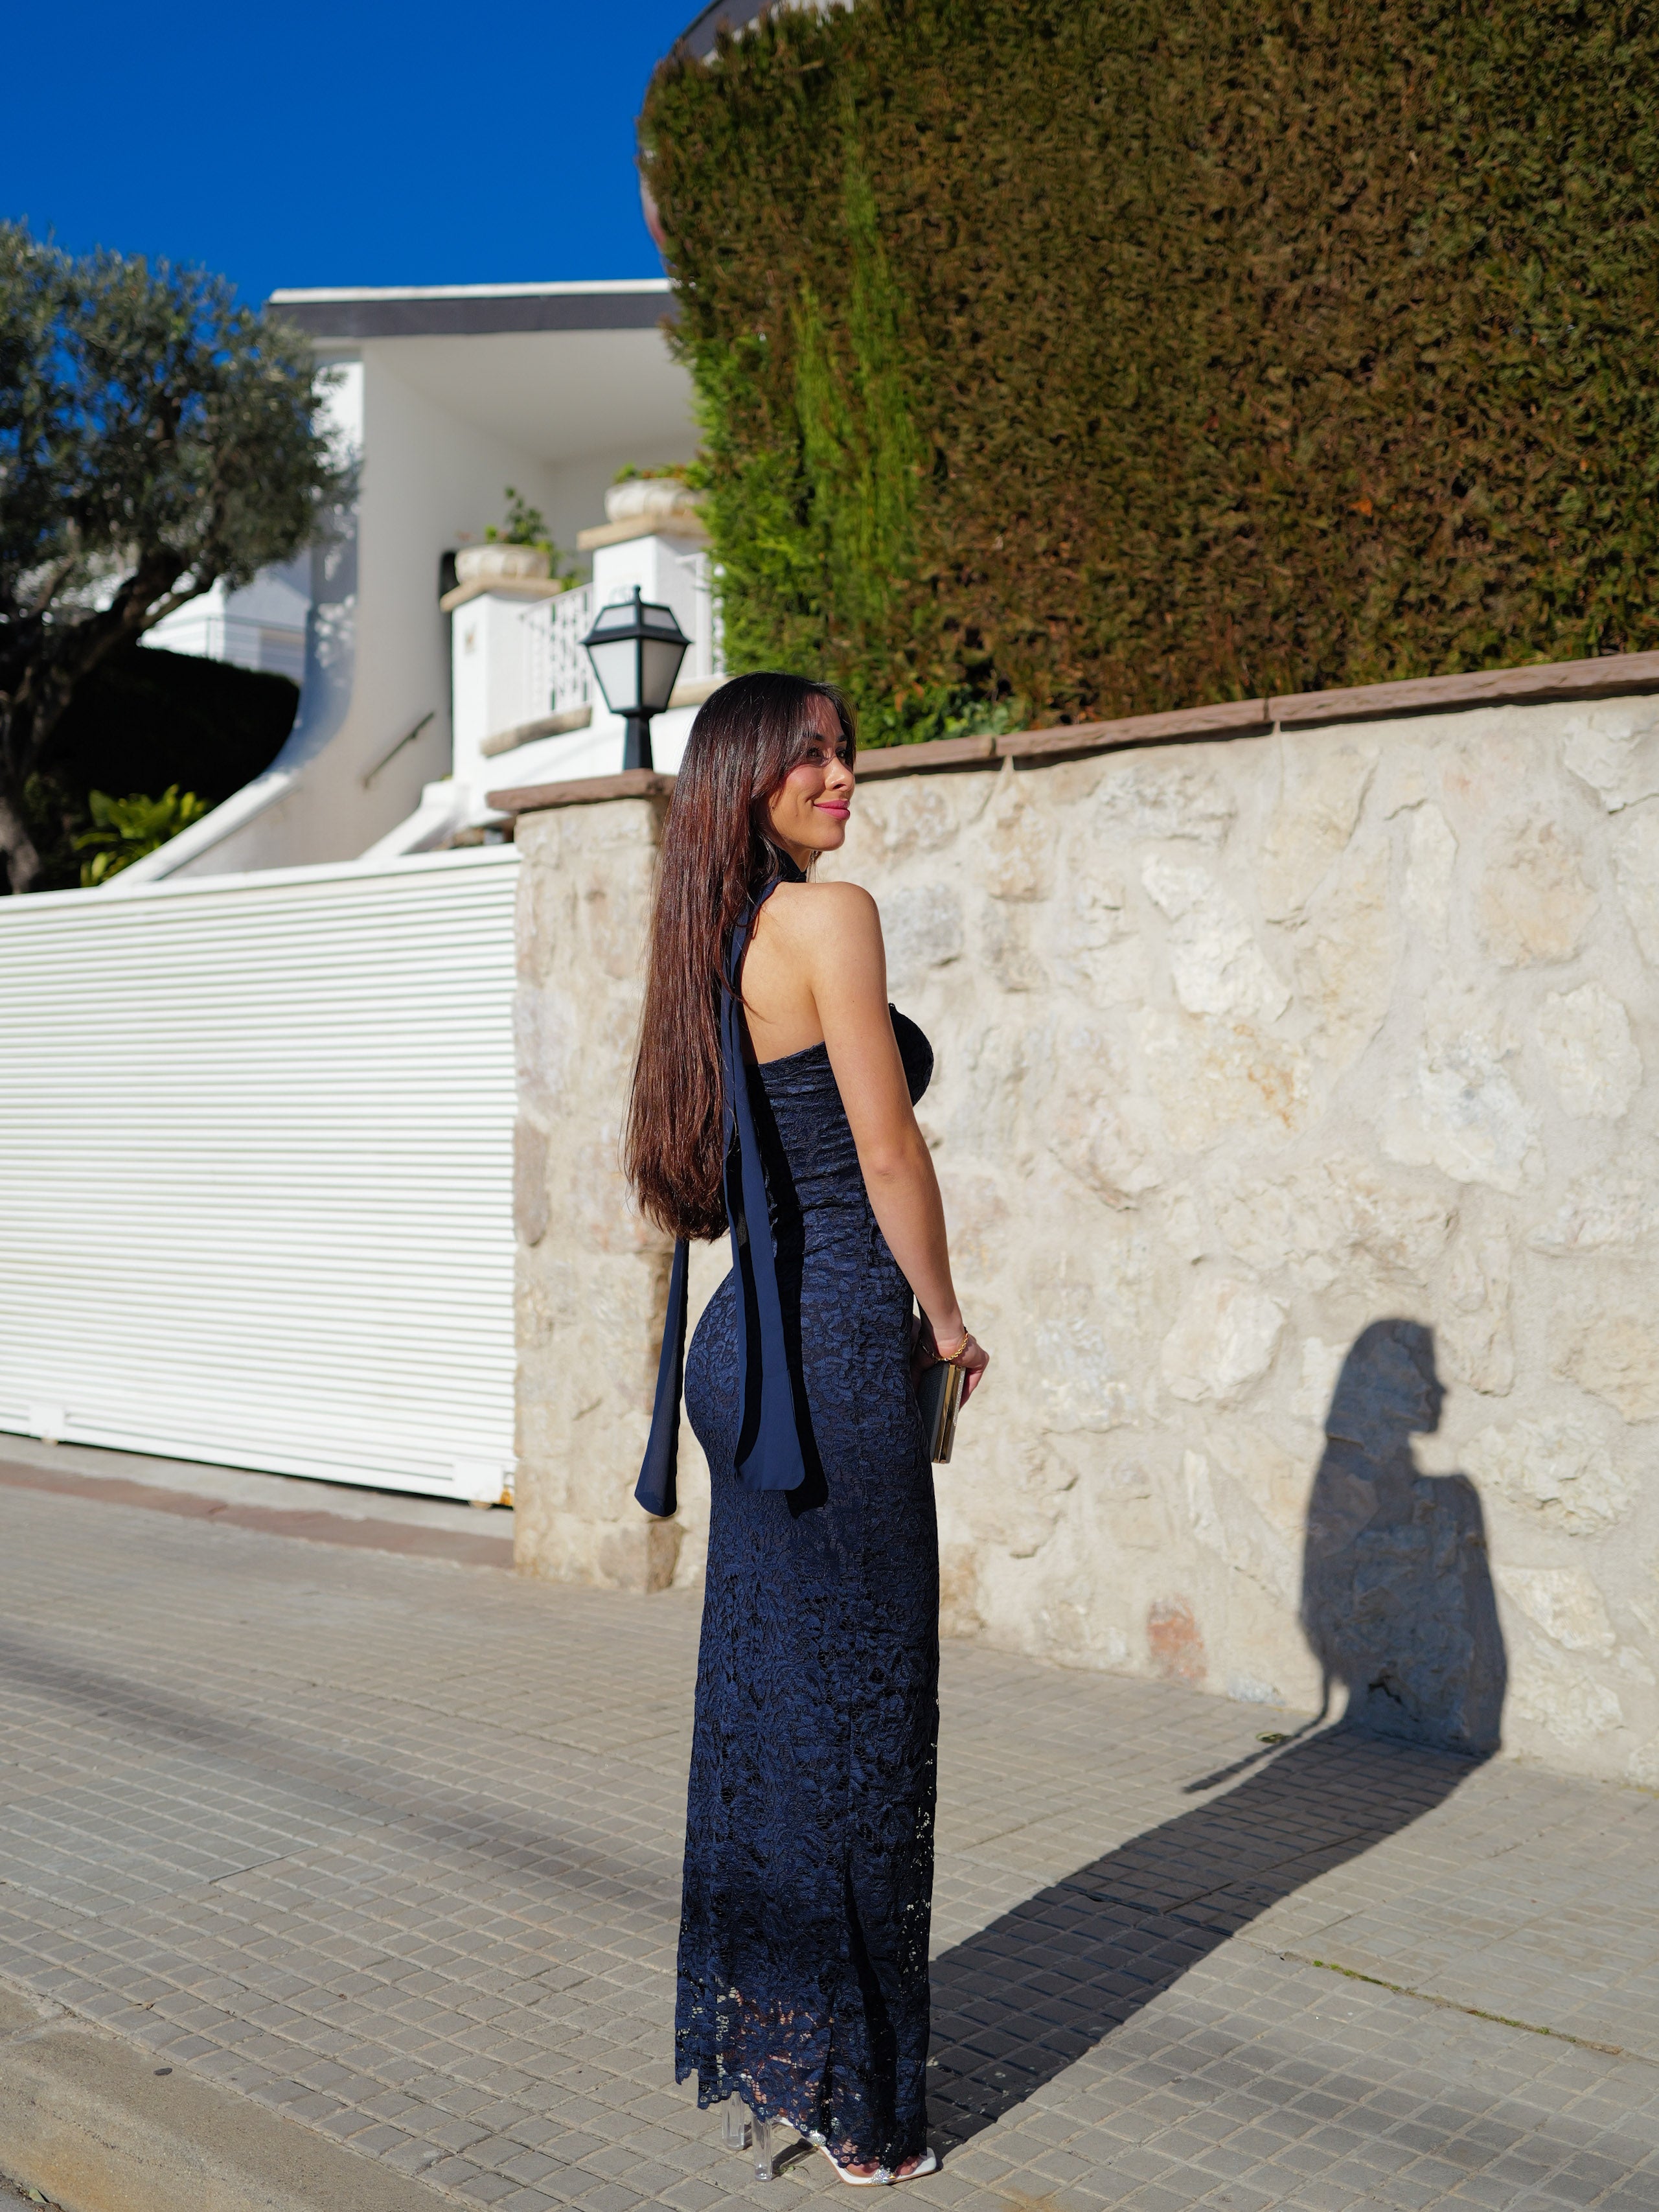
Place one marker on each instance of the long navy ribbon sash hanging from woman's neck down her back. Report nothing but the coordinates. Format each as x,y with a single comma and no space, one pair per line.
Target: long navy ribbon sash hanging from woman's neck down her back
771,1454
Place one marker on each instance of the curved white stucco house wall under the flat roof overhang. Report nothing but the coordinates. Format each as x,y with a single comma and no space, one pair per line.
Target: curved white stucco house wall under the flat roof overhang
437,455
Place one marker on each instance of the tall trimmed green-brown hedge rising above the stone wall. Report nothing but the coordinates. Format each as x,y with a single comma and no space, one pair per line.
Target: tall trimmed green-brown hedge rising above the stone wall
1100,357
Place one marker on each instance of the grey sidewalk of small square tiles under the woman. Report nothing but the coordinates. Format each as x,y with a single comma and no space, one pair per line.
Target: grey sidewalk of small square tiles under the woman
393,1848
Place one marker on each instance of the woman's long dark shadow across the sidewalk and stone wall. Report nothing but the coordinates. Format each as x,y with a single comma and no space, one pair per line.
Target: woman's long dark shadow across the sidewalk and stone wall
1399,1611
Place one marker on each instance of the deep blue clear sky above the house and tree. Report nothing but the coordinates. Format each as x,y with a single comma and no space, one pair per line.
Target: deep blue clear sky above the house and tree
333,147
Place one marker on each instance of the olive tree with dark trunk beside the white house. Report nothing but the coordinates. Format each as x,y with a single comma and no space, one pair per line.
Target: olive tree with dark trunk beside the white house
154,441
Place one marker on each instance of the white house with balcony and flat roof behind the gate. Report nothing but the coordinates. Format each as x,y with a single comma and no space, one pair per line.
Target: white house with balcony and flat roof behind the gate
448,397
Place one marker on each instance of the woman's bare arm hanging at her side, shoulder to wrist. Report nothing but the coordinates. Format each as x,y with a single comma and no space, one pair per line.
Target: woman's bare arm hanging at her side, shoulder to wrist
842,950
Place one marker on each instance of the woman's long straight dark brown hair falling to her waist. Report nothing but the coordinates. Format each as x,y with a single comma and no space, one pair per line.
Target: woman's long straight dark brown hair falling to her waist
716,851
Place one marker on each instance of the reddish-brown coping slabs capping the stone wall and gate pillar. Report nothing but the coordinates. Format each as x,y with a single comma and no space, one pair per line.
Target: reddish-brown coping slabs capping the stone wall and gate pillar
1538,685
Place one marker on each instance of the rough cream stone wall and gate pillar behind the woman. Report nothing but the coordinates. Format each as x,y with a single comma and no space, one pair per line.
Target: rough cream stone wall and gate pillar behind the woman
1297,1118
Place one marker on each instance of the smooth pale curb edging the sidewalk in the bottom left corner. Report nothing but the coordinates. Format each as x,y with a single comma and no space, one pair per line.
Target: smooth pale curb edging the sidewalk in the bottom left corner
87,2120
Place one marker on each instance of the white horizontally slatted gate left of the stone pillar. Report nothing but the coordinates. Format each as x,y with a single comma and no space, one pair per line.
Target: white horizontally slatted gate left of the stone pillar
255,1171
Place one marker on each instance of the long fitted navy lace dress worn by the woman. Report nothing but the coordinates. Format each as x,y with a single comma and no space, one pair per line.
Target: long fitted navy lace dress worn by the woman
811,1826
